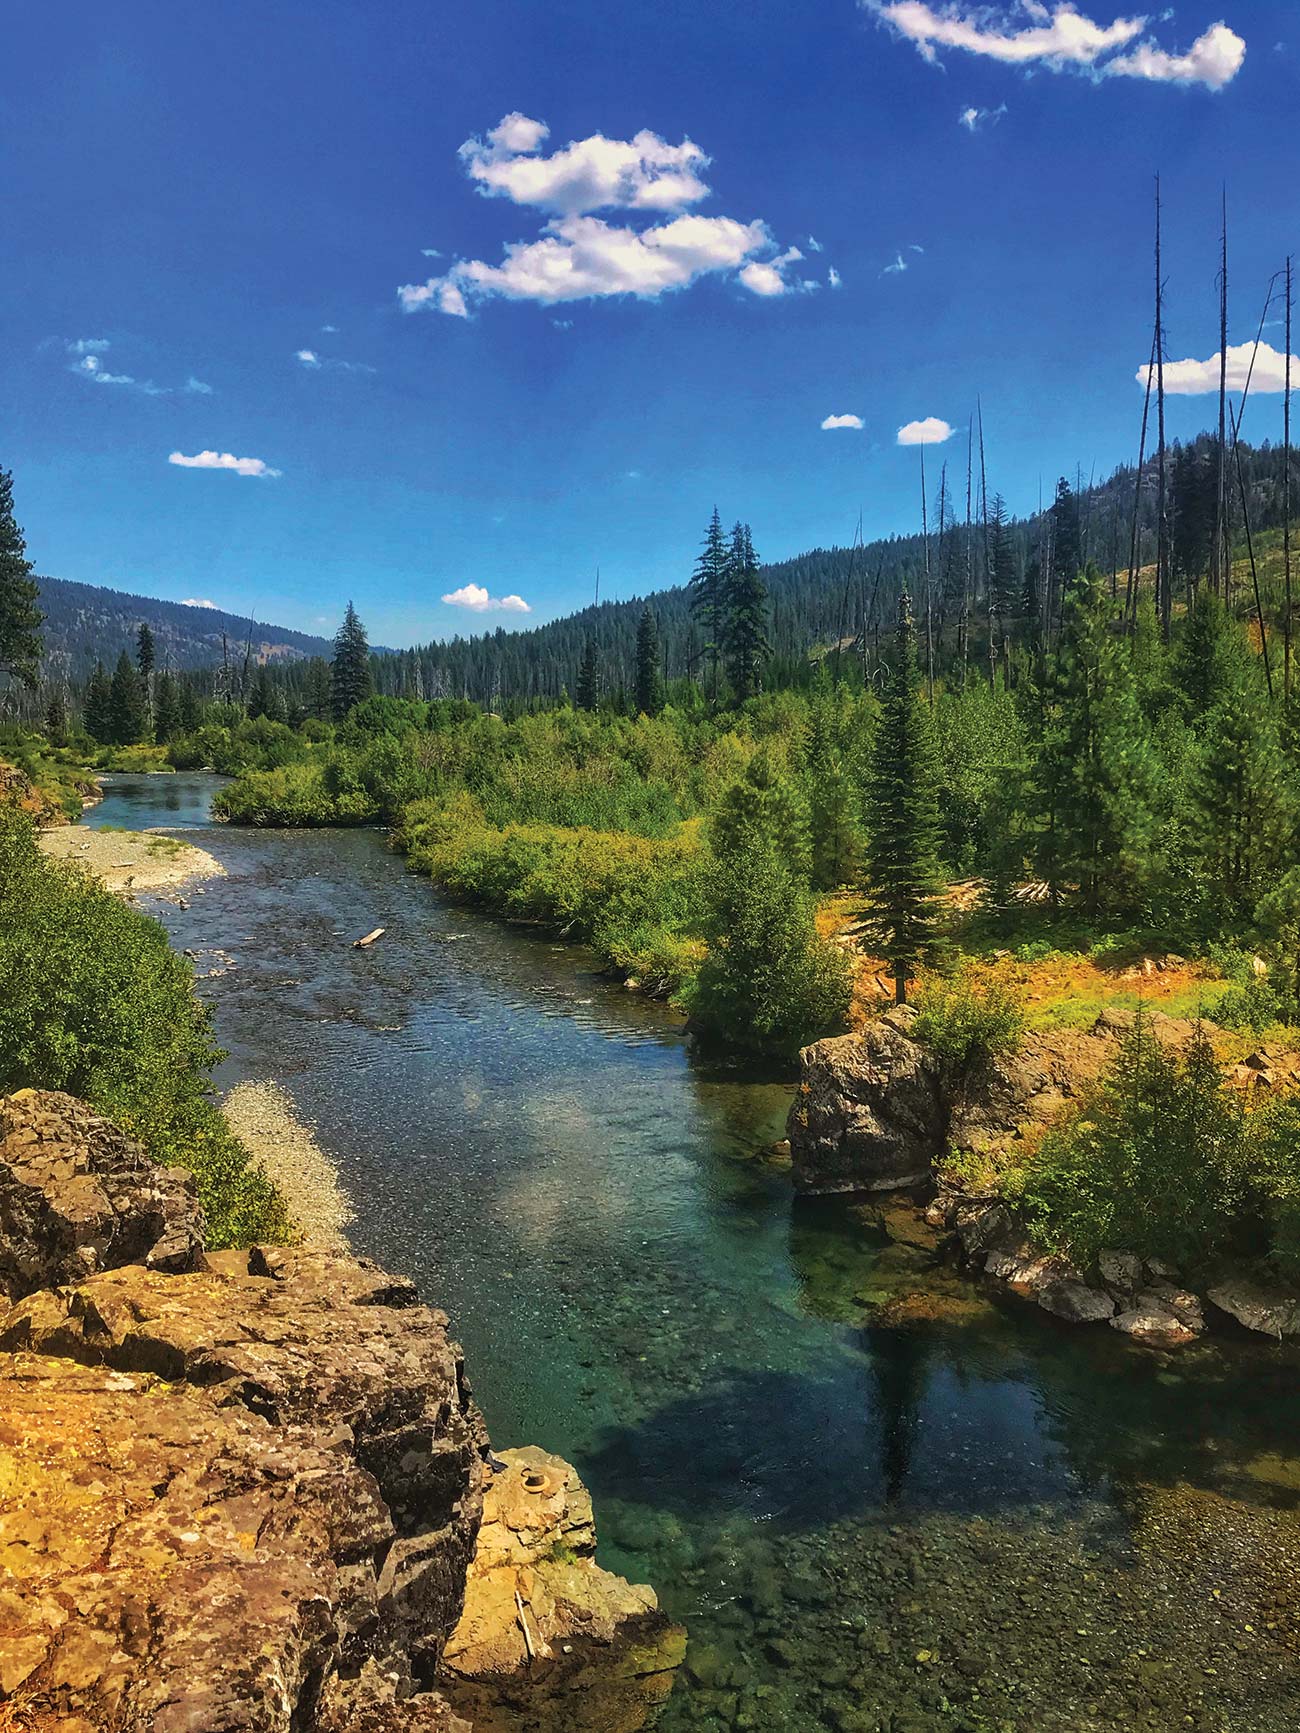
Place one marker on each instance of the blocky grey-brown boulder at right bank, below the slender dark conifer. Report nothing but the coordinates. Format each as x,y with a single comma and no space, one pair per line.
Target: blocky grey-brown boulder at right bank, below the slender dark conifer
869,1113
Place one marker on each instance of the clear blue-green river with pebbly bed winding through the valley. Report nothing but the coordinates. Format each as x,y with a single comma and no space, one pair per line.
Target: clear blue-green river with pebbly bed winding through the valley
878,1498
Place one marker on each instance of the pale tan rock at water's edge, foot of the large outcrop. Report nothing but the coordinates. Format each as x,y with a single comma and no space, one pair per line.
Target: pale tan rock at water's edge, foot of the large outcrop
543,1626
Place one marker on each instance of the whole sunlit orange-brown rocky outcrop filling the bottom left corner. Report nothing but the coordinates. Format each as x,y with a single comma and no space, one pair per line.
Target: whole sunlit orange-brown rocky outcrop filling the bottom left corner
247,1496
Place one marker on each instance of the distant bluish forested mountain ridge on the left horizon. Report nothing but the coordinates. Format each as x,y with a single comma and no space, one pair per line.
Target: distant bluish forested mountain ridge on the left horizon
86,625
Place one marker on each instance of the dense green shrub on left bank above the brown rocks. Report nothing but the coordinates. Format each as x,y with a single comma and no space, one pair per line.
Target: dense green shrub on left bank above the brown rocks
96,1003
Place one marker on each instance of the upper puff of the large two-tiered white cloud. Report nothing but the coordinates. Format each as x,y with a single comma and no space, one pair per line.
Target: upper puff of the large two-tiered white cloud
592,174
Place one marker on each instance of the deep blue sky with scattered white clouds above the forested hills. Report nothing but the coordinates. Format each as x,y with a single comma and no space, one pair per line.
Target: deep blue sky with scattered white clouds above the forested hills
200,198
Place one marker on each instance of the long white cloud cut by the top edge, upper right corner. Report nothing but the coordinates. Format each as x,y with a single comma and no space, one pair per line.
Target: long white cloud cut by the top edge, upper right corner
1063,39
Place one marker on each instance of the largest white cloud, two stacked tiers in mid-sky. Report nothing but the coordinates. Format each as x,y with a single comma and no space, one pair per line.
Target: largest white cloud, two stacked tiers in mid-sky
585,257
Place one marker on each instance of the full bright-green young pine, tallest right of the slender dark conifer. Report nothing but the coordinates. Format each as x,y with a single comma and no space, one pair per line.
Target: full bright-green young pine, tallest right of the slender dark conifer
1096,767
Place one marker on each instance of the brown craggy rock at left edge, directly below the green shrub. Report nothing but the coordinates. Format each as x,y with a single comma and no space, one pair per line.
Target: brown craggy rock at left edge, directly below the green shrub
79,1197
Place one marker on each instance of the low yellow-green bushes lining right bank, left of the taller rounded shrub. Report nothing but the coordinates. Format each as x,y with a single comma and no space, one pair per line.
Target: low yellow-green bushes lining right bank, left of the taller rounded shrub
634,899
